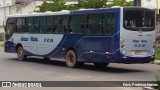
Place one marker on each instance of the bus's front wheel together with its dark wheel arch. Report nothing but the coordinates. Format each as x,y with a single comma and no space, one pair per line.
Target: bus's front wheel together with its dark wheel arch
20,52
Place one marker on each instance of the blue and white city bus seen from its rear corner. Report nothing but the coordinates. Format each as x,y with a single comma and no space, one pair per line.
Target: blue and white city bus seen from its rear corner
99,36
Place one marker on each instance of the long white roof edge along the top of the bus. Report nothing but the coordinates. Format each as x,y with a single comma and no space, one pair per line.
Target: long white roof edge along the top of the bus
65,12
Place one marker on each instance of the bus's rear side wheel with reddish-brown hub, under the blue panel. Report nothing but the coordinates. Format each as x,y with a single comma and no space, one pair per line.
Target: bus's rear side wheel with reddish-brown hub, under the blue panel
71,59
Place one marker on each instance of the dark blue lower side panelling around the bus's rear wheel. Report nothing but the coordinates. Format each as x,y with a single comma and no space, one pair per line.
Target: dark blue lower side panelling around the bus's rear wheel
82,45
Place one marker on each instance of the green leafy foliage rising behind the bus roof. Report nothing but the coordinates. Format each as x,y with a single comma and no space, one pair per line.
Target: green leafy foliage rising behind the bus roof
58,5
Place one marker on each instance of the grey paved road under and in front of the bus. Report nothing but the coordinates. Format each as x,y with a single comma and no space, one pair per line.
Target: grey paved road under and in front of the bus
37,69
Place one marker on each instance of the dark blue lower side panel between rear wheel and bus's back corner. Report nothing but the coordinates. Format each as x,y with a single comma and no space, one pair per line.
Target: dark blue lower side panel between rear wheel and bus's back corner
94,48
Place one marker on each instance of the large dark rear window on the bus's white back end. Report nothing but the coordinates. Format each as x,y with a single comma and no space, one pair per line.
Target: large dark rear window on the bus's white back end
139,19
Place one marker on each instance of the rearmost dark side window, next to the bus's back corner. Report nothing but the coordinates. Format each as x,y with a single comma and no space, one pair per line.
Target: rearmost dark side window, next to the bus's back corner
110,22
